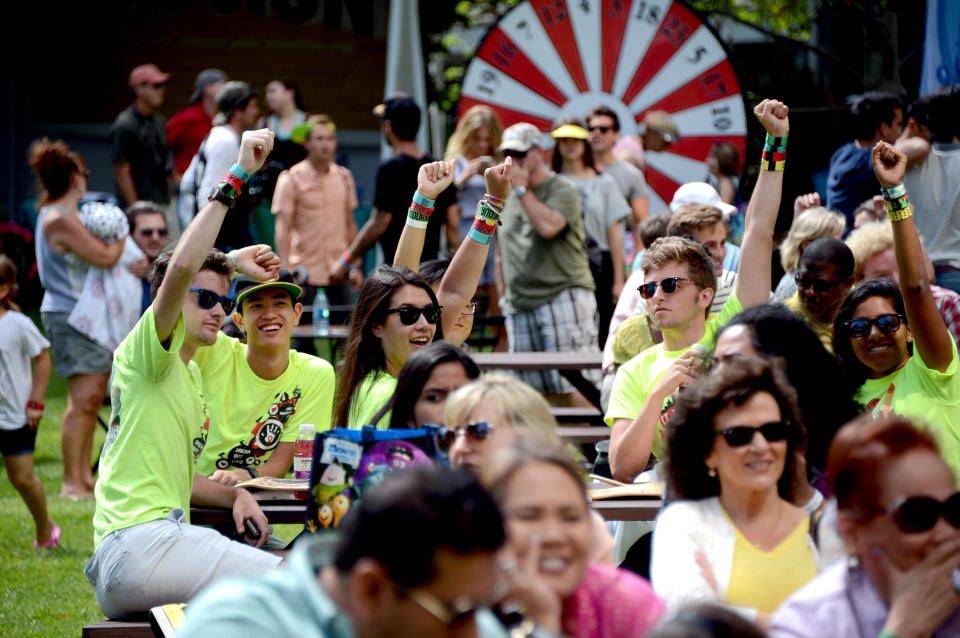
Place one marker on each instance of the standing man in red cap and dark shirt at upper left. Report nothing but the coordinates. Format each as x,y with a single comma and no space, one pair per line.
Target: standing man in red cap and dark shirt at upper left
138,143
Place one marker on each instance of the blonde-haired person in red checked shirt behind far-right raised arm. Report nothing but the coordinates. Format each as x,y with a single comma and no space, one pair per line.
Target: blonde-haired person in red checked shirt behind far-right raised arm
872,247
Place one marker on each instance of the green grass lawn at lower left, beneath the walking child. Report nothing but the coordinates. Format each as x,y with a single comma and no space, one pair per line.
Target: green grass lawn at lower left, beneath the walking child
44,593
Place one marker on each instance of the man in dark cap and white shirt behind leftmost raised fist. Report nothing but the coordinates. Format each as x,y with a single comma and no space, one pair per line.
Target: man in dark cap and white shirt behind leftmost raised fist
237,110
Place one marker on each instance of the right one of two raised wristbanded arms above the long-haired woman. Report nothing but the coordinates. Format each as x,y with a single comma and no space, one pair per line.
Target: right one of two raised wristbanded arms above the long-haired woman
460,281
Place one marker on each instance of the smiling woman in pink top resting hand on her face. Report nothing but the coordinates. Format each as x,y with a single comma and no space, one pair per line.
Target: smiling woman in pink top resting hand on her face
547,556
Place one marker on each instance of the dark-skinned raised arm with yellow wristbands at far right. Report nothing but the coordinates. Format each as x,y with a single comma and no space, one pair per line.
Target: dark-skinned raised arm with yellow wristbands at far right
930,334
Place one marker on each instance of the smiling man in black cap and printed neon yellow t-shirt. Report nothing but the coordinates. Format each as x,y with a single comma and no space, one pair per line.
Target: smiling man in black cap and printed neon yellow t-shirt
259,393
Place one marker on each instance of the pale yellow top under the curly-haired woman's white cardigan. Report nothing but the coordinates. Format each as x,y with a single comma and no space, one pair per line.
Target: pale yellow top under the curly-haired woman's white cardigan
762,580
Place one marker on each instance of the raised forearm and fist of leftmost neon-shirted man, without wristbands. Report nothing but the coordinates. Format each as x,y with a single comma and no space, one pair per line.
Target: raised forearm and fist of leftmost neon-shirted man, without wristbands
196,242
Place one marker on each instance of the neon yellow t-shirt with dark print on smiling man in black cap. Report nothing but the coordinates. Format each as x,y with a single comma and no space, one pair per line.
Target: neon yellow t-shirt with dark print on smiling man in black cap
250,416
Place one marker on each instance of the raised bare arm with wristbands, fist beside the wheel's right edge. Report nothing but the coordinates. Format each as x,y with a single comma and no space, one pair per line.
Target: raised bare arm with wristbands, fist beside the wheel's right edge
753,271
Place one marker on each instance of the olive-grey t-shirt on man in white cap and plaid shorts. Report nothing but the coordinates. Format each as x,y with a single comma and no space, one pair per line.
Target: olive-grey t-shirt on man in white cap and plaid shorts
536,269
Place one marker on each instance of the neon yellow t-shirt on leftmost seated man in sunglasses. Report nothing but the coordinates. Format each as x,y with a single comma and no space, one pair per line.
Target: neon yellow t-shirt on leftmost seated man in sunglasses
146,467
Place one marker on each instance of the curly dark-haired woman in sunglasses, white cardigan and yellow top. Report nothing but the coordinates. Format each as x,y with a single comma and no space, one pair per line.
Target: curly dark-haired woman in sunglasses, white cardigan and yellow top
733,535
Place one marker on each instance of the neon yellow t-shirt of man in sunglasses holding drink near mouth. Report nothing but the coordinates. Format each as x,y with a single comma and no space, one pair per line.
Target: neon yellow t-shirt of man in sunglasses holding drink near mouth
636,378
